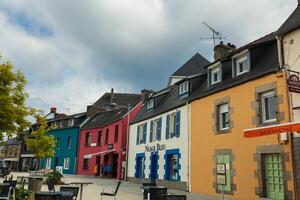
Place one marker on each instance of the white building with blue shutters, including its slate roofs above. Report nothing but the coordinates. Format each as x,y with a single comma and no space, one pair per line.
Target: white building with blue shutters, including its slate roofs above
159,135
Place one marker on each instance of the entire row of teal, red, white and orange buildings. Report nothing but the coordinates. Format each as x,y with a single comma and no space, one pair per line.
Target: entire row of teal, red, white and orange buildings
199,133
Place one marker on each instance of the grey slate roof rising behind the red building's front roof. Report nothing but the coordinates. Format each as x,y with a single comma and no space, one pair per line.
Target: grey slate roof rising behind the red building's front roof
121,99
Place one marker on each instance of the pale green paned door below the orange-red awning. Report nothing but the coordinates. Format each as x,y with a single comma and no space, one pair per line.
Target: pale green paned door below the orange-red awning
272,176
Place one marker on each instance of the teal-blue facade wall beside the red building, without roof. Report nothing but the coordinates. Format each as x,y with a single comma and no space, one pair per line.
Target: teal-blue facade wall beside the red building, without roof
63,151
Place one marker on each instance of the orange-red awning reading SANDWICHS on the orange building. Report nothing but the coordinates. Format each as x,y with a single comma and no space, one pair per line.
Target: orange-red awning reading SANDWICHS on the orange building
270,130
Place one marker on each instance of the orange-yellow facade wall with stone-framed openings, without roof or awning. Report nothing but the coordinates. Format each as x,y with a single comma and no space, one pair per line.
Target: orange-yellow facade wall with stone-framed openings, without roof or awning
244,154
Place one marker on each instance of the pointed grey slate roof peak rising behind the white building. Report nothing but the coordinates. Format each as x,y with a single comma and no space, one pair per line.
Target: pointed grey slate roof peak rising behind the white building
192,66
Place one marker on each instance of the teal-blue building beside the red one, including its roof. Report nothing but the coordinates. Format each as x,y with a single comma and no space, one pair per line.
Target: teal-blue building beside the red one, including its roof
66,132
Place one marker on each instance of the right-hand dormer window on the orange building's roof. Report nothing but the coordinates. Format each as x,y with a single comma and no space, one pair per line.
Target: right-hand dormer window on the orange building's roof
241,63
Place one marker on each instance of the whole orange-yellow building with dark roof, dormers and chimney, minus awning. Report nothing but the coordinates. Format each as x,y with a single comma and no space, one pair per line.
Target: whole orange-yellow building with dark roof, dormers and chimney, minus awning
244,88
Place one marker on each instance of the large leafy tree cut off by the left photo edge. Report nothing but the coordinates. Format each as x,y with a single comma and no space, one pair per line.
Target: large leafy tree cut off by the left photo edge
13,110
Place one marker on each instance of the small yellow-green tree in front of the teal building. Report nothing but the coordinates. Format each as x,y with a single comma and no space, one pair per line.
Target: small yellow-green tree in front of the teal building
38,142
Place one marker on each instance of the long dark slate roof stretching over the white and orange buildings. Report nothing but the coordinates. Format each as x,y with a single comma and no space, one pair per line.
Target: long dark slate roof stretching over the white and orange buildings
264,60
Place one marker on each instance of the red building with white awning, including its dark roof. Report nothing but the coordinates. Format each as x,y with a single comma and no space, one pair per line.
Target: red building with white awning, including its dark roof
103,141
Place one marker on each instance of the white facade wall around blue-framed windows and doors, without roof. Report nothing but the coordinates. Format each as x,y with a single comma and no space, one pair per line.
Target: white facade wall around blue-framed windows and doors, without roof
176,143
